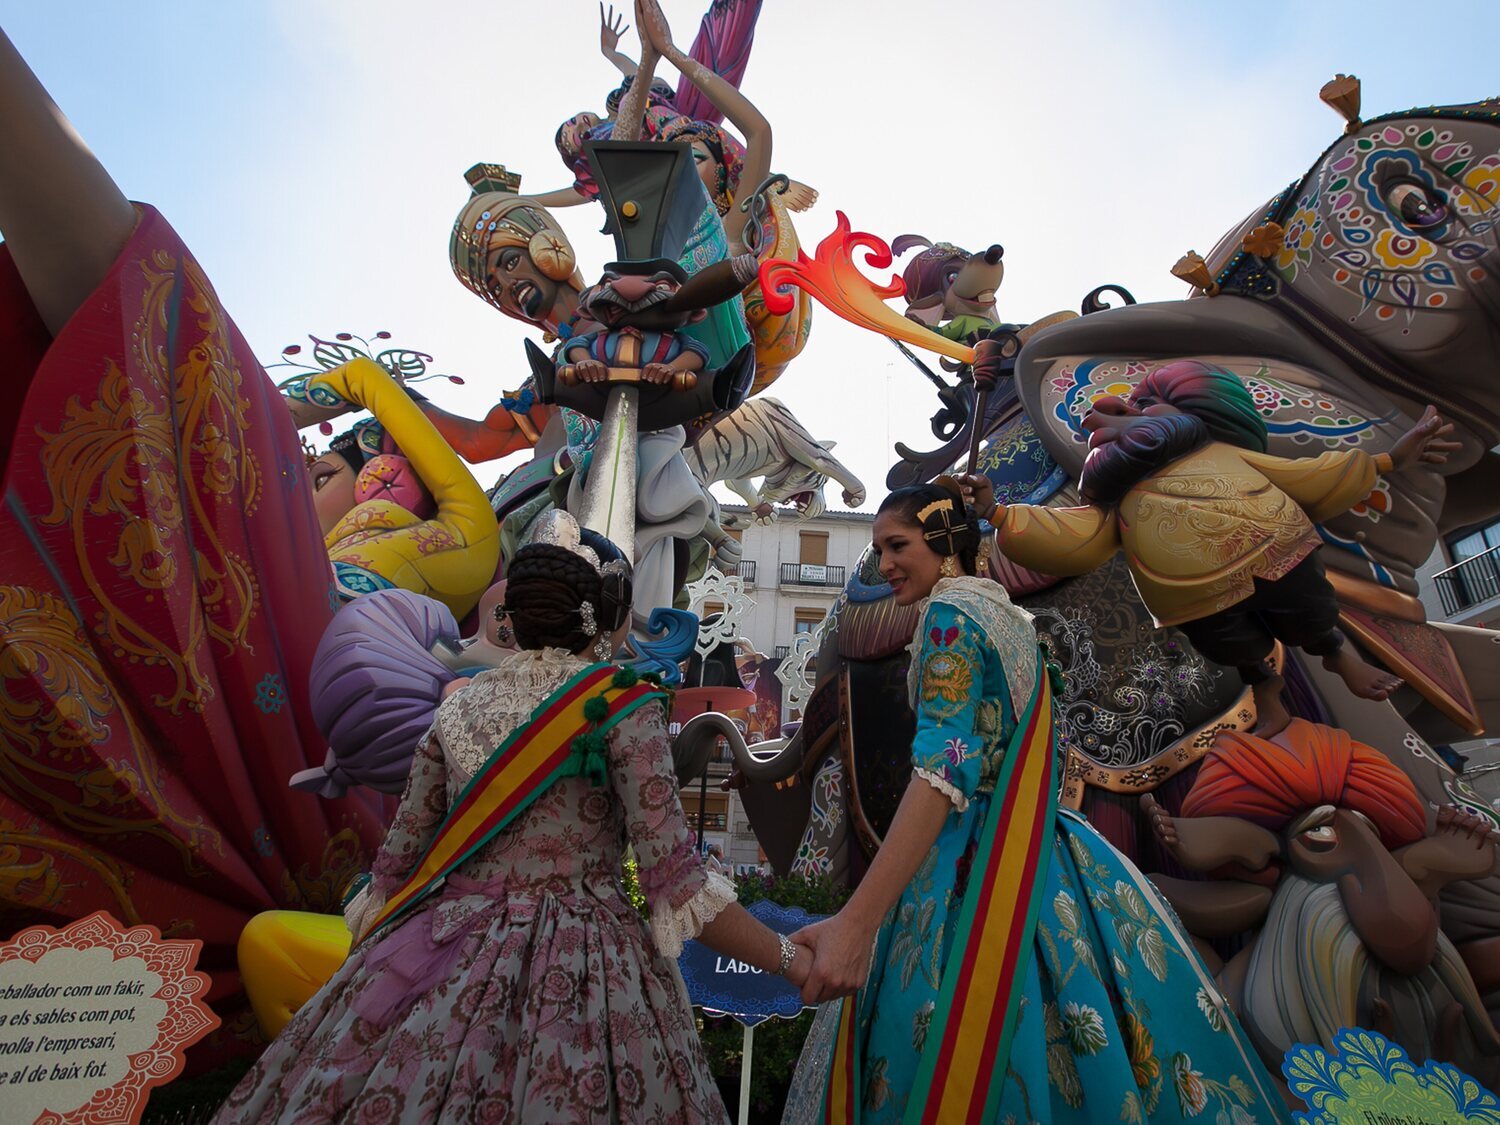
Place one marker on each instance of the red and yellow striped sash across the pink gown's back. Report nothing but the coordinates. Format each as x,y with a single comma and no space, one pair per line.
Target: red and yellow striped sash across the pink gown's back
521,770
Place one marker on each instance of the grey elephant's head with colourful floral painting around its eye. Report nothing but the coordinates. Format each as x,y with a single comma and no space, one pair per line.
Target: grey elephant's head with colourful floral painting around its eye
1390,250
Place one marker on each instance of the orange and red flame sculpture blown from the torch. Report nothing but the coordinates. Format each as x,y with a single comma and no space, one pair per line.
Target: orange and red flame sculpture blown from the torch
833,280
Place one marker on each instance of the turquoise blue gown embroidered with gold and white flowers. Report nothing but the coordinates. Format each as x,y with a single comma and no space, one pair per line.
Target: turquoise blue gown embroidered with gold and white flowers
1120,1019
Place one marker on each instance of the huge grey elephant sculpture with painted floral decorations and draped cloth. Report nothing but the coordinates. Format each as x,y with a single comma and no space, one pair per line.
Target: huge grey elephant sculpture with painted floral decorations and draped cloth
1349,302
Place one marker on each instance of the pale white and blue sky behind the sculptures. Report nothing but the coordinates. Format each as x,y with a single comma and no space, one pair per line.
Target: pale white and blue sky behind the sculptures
311,152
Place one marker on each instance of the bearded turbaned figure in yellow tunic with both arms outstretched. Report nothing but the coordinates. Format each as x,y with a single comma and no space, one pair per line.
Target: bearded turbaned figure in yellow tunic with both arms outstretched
1219,533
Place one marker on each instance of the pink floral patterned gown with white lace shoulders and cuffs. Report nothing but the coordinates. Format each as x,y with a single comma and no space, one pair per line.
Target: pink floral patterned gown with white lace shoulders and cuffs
527,988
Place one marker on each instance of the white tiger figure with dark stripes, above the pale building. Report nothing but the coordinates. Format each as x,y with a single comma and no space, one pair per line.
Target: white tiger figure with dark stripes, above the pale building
763,439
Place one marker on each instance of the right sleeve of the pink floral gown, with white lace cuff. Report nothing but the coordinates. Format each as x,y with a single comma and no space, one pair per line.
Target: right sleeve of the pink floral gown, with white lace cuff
680,890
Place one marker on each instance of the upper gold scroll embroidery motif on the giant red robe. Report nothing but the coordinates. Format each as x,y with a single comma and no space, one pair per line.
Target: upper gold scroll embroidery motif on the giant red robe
113,467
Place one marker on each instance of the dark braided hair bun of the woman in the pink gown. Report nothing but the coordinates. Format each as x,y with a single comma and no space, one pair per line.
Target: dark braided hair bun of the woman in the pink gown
545,590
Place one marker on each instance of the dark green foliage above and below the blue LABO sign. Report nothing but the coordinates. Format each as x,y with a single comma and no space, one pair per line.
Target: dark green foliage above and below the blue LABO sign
778,1043
